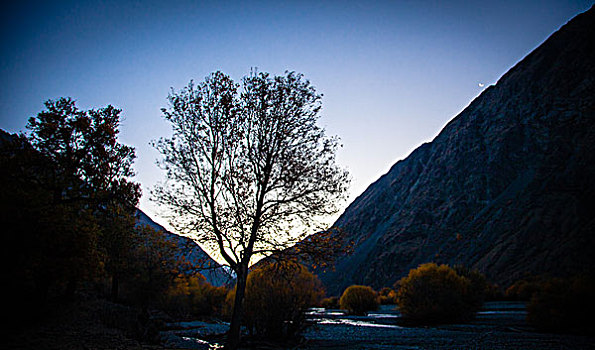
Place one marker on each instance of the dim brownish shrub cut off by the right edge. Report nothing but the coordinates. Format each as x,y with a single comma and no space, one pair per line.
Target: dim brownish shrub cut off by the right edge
564,305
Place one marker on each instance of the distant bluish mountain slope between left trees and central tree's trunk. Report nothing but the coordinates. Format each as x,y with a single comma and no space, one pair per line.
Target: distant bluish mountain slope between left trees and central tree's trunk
215,274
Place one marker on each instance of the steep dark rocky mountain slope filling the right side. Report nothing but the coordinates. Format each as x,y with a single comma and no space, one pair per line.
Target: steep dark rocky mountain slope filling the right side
507,187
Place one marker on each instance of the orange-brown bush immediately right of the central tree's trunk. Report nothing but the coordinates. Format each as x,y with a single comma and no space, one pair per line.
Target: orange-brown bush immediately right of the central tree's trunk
277,295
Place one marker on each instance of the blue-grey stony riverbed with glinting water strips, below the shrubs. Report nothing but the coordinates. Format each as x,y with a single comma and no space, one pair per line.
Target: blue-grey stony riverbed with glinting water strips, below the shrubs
500,325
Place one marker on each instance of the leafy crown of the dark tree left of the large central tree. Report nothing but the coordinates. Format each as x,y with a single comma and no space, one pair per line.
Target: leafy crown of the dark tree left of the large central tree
89,163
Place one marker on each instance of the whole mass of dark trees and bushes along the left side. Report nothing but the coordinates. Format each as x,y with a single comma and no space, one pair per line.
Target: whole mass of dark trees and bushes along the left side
67,209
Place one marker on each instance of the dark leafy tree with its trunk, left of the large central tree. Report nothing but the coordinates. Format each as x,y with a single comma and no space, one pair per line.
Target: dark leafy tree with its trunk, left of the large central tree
90,173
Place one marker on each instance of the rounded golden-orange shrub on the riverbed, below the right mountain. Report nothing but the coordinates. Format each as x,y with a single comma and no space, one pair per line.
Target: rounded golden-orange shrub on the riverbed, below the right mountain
437,294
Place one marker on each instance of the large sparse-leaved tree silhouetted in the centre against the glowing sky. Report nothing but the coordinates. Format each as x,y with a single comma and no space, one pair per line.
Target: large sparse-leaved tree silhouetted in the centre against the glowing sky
247,169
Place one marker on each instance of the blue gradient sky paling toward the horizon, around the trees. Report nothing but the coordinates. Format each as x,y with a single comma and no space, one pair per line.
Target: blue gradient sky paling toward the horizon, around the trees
392,73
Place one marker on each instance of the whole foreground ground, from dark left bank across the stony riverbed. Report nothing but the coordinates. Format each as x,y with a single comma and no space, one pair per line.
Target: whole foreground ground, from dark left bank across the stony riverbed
500,325
